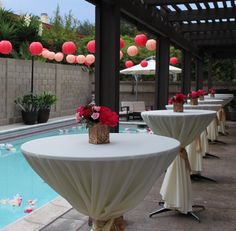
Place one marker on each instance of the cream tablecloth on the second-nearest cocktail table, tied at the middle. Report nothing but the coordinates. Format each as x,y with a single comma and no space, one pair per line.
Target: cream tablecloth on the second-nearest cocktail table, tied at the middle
185,126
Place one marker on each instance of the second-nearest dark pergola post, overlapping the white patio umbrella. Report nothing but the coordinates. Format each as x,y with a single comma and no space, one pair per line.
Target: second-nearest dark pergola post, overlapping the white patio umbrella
162,73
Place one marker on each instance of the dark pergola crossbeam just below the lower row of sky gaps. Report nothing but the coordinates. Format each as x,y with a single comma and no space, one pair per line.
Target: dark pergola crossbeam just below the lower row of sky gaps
208,27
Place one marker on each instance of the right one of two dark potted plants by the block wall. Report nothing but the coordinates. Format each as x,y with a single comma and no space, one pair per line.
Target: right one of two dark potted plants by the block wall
46,100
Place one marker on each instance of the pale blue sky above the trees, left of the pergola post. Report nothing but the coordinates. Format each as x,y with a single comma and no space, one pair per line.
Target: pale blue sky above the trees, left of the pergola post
81,9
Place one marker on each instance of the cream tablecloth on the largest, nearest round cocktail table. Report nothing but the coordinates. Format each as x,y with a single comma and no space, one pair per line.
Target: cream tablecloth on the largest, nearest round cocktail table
102,181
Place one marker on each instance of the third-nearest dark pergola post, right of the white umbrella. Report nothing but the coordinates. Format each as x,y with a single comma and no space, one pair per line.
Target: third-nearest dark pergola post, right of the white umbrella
186,72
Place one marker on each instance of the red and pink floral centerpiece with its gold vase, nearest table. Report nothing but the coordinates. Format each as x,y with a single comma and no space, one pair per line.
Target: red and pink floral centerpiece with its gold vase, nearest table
98,119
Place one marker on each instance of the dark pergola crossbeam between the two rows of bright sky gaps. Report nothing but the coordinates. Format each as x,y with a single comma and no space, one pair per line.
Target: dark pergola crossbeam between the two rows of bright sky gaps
193,15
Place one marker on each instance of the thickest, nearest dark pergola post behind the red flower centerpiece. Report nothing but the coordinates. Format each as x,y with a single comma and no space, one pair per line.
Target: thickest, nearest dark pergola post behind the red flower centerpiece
107,55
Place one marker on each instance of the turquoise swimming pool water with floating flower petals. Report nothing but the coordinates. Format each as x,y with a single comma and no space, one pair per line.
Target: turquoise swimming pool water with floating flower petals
20,187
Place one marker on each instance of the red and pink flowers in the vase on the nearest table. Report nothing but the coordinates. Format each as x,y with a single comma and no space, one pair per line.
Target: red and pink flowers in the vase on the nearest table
92,115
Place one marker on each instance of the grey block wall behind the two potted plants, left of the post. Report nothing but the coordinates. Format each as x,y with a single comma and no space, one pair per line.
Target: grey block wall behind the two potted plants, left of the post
69,83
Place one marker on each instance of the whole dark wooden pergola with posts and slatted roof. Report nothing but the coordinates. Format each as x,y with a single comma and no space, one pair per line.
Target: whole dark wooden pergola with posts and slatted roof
199,28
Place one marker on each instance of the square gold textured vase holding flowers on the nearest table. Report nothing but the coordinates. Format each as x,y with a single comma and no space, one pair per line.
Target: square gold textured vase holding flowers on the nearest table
99,134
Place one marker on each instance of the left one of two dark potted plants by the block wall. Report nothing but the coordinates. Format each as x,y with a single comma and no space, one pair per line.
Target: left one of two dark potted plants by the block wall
29,108
